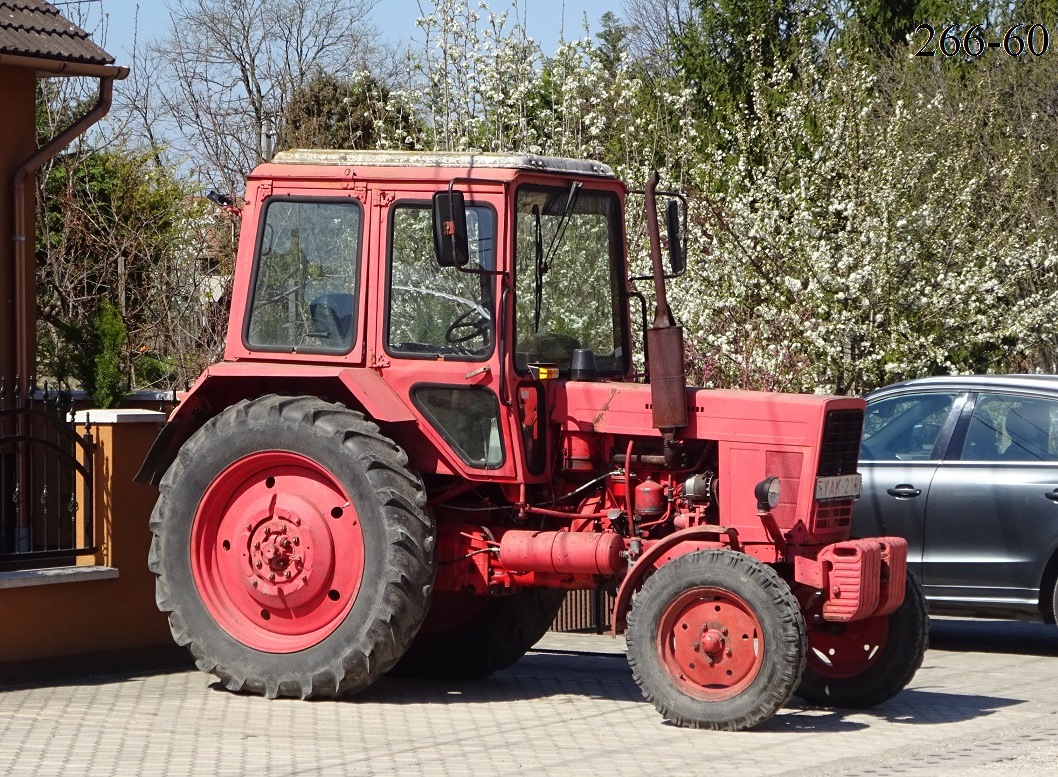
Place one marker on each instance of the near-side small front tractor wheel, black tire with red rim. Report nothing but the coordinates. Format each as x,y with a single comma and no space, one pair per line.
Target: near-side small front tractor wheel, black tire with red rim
717,641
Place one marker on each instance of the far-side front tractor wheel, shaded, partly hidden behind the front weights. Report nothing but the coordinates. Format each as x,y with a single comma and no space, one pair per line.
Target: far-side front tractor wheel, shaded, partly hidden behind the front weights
865,663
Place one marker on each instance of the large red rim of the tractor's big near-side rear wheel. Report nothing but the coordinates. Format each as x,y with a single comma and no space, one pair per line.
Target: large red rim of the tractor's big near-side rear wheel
278,552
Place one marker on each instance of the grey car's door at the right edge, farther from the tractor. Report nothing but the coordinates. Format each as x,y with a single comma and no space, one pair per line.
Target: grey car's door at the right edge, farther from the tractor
992,519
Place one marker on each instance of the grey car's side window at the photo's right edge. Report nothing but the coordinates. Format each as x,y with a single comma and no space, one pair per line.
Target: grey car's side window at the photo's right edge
1012,428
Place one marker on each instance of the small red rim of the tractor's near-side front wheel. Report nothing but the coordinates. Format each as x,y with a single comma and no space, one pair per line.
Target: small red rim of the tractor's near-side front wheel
712,644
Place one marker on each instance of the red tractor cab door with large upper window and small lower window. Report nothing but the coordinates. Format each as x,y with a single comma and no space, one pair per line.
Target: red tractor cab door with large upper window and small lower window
437,335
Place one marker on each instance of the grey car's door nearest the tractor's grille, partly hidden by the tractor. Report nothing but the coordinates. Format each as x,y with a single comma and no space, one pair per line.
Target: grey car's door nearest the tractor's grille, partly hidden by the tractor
904,438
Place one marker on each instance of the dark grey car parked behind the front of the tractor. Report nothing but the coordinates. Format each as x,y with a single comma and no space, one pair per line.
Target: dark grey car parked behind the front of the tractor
966,468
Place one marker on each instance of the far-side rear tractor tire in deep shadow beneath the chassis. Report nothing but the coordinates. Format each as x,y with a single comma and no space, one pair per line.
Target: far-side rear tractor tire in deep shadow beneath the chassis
467,638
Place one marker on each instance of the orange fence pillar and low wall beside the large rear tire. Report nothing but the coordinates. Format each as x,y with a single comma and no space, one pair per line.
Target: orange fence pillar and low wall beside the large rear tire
93,617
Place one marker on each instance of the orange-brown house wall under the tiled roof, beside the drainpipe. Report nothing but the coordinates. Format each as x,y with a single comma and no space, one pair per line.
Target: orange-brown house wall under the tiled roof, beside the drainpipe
17,142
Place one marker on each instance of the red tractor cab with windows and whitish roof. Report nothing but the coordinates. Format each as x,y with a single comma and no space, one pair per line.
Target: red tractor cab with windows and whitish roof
534,277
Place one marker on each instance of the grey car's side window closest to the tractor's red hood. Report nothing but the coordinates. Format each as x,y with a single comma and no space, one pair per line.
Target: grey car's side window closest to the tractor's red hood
905,428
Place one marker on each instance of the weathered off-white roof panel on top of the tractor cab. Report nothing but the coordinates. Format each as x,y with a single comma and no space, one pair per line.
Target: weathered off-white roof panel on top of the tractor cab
445,159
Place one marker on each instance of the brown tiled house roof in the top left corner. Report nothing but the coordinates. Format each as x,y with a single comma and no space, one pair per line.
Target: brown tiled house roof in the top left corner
37,29
